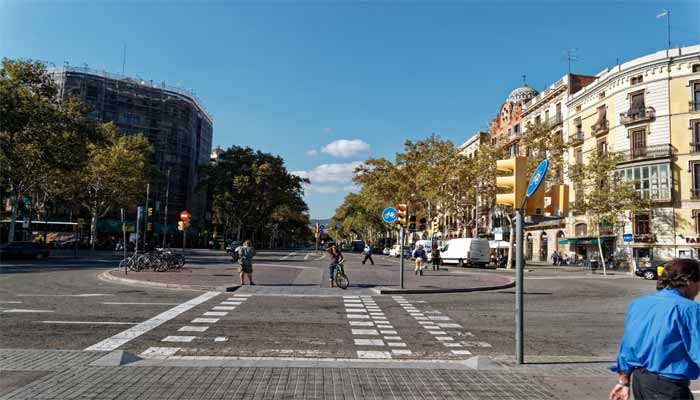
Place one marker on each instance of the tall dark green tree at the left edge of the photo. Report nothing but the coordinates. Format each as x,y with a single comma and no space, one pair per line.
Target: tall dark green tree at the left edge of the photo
39,135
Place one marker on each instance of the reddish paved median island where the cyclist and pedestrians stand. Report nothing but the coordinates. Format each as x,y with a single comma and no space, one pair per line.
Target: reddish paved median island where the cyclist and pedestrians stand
214,271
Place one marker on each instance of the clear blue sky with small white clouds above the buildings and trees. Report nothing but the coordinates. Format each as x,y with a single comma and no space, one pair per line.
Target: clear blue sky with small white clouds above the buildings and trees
293,78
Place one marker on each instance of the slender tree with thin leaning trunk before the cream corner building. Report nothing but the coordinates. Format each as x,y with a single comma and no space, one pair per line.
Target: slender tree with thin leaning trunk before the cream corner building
604,194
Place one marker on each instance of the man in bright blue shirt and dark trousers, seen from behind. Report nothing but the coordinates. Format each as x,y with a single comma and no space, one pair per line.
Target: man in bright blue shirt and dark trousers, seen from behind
660,348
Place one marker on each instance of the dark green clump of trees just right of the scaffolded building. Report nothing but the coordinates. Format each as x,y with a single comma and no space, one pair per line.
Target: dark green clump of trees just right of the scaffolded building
255,197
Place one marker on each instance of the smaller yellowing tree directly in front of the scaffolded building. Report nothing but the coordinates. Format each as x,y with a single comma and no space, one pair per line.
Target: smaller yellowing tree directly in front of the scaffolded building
114,176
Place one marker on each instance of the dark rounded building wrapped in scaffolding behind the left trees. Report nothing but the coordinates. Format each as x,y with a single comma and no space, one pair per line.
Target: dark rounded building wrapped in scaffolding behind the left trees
174,120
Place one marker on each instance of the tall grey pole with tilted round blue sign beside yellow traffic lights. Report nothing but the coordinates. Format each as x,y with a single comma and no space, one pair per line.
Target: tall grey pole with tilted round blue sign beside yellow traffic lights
535,181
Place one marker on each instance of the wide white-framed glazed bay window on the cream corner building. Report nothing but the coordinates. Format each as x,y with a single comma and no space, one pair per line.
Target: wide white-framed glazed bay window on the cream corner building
650,181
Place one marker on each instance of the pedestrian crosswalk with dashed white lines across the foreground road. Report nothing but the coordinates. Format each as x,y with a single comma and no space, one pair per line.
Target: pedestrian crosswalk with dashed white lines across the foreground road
375,329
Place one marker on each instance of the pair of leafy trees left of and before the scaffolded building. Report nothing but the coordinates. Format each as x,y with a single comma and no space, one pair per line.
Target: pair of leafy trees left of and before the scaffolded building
52,154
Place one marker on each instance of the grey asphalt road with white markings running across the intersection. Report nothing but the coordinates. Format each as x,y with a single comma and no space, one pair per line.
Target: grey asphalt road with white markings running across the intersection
60,303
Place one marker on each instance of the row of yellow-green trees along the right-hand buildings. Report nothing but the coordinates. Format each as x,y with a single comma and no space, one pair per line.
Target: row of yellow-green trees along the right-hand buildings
434,178
